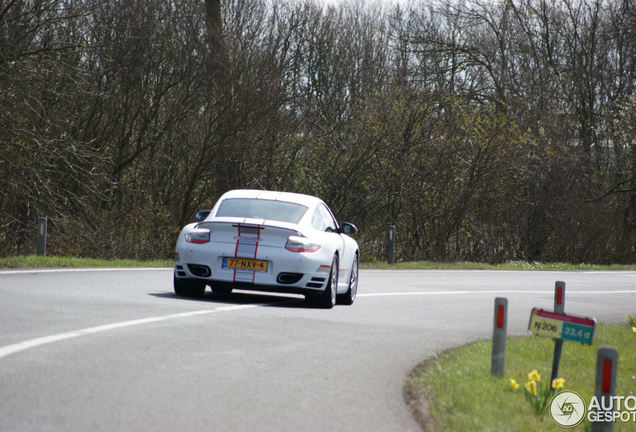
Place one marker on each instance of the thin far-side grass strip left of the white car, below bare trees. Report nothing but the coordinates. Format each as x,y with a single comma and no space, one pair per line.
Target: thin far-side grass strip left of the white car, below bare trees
35,261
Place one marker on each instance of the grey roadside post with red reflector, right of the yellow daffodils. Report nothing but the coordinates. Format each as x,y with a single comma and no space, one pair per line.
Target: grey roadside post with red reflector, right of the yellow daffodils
605,389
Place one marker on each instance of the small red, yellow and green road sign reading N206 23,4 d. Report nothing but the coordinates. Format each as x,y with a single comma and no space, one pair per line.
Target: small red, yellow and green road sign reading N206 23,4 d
562,326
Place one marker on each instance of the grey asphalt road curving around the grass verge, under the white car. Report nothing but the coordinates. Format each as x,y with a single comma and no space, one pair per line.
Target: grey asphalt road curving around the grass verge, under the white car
115,350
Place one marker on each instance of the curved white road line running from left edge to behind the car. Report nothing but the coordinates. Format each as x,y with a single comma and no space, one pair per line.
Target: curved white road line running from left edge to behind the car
33,343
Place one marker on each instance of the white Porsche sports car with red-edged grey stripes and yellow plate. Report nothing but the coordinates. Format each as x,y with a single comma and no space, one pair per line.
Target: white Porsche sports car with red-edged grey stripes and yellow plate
268,241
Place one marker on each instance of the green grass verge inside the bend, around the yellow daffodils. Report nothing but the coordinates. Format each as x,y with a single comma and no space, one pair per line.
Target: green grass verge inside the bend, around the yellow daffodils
454,392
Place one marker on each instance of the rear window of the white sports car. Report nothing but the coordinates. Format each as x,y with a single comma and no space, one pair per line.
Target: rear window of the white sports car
261,209
